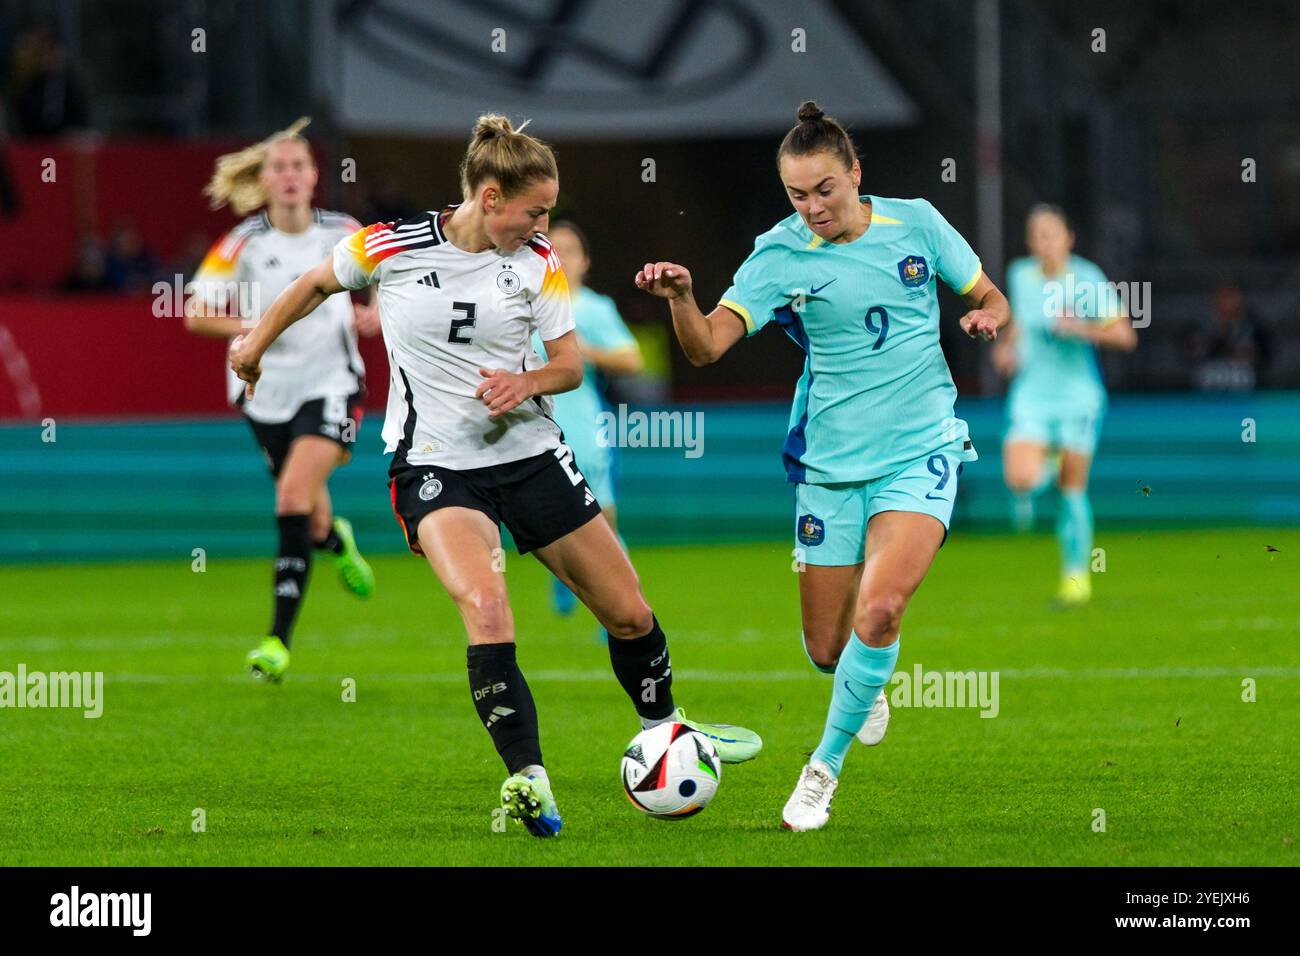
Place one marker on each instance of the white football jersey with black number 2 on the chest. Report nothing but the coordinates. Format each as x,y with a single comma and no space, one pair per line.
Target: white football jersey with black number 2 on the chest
447,314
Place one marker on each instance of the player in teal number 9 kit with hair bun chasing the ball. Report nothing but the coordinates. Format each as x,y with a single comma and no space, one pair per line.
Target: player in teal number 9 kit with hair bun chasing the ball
874,449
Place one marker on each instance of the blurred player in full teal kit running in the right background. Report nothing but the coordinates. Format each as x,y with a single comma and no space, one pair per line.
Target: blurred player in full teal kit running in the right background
1064,310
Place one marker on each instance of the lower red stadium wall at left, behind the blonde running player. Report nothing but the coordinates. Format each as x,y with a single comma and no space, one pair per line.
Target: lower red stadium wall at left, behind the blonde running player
110,357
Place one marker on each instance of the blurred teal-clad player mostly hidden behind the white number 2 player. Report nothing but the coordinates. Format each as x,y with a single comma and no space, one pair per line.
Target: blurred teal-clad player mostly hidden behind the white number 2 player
609,348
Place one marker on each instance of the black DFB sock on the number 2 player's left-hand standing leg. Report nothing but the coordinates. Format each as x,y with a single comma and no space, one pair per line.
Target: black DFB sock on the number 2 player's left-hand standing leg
505,704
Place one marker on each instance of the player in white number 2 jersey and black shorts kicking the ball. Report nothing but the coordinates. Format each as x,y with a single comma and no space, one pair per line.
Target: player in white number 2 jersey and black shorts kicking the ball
475,445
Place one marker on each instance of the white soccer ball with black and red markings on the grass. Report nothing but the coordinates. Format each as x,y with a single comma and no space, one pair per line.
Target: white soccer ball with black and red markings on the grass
671,772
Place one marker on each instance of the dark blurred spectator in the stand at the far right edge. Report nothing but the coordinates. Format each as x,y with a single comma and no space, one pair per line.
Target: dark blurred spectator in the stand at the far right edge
1233,351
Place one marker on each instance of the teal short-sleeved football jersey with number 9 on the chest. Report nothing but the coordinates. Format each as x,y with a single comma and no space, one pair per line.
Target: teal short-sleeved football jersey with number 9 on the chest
876,393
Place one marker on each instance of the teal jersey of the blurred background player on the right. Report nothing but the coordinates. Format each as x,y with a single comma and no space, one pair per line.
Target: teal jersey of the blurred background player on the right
1056,374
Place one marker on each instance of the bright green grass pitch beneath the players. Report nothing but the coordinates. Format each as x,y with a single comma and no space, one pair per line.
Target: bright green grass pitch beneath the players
1133,706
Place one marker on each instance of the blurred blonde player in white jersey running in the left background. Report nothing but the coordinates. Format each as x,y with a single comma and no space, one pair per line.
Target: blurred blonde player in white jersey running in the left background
307,410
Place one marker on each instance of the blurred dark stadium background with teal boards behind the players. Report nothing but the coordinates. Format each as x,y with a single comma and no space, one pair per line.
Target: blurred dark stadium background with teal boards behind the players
1143,144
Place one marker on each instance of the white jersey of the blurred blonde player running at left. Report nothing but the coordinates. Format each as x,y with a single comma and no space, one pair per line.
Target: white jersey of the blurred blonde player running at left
317,357
